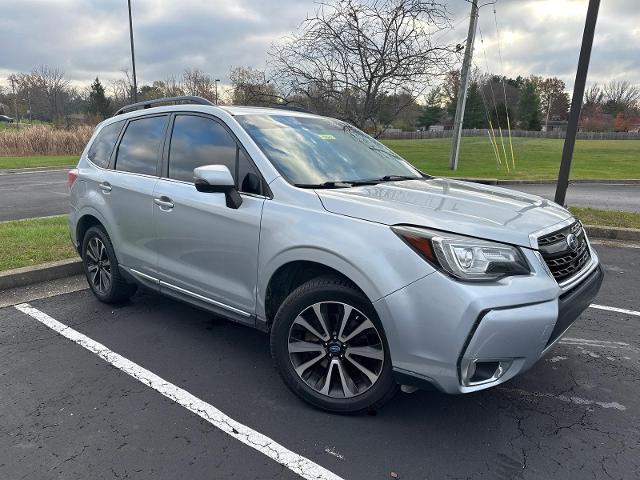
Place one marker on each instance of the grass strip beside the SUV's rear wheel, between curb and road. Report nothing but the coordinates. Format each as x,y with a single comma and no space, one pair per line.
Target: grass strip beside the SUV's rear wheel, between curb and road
34,241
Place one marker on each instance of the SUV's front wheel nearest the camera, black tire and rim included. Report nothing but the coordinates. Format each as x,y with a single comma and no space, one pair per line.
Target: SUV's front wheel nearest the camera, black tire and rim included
329,347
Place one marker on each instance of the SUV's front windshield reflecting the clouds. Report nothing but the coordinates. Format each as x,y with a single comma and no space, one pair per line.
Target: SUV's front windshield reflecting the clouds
314,151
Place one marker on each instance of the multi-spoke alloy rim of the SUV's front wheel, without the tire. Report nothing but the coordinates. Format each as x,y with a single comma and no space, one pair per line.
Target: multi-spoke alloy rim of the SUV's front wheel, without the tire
336,349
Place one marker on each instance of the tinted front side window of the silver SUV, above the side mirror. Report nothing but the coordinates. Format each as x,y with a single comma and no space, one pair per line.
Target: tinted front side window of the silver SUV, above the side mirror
198,141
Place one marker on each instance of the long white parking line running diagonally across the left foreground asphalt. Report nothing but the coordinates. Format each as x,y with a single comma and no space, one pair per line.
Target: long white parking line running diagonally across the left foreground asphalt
291,460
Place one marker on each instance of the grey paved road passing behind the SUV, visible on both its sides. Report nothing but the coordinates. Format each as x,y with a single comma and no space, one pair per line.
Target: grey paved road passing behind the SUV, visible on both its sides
45,193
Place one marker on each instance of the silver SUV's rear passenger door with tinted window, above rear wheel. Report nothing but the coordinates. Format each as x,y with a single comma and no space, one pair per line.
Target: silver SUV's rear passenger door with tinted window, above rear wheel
128,191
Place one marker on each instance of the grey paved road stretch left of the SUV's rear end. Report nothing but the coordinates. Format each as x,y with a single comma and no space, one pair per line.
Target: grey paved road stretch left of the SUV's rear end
36,194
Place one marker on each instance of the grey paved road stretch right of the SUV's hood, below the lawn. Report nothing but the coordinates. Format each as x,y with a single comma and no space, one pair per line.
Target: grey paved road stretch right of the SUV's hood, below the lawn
596,195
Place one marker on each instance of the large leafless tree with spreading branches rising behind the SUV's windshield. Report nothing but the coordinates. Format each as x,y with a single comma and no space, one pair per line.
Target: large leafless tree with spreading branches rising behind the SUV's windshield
352,53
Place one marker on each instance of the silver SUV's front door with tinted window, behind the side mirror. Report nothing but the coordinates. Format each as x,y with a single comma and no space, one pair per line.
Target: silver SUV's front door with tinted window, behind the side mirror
207,250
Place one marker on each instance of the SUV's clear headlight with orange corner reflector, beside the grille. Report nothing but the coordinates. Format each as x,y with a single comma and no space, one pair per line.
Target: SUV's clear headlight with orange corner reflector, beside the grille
465,258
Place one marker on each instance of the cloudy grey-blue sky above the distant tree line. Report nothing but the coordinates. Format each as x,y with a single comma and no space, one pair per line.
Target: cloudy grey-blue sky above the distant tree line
89,38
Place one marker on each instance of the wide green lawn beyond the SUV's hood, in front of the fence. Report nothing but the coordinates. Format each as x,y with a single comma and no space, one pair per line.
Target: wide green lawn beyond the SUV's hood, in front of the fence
535,158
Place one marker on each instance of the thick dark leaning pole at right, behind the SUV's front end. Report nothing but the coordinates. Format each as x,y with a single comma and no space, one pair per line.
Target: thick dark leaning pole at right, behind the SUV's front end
576,101
